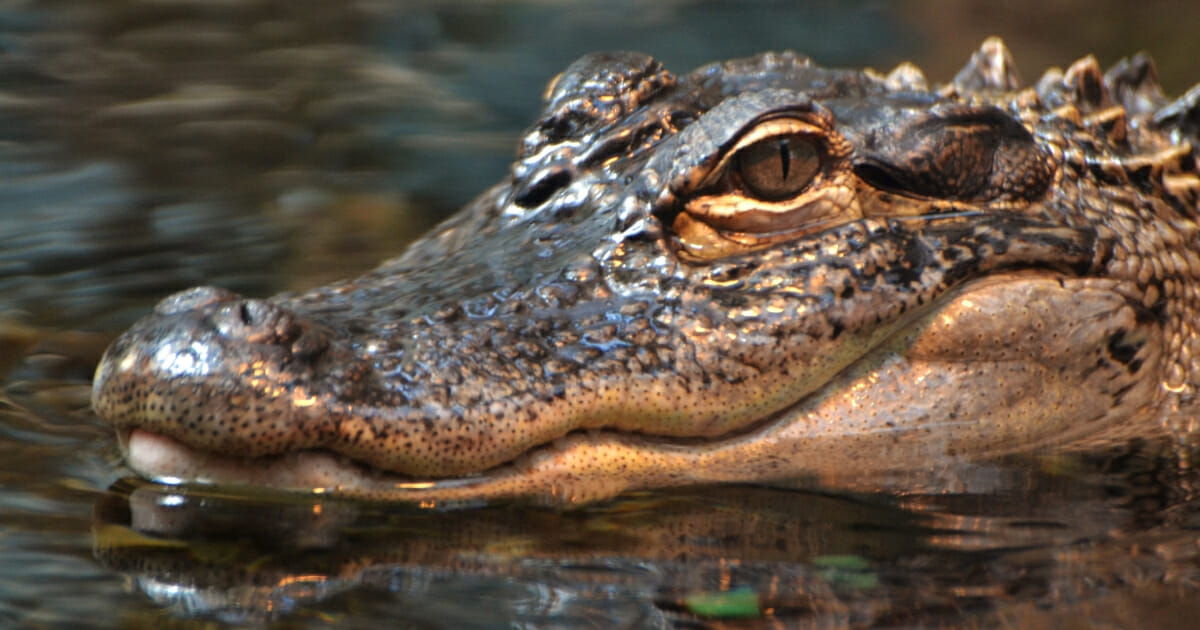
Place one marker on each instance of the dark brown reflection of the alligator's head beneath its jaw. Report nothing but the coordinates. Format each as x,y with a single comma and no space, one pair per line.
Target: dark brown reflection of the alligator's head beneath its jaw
658,560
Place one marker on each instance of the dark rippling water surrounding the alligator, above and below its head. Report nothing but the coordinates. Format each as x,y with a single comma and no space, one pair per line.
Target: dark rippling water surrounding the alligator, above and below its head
148,146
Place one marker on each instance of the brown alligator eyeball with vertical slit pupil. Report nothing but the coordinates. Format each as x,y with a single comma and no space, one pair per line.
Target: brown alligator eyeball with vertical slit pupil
781,167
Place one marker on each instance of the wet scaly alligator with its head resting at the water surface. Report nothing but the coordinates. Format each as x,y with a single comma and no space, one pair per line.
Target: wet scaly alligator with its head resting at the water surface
764,271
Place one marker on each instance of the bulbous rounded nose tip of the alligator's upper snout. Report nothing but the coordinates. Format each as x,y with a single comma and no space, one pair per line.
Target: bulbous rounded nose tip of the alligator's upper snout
221,373
